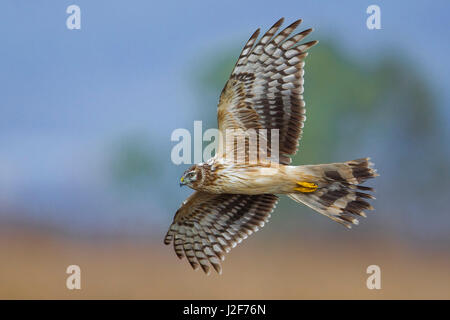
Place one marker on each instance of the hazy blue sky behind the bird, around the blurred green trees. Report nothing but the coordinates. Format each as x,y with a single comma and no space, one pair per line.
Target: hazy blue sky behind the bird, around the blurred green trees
66,95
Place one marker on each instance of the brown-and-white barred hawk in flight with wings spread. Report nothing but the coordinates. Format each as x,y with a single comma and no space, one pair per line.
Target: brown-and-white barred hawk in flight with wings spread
234,199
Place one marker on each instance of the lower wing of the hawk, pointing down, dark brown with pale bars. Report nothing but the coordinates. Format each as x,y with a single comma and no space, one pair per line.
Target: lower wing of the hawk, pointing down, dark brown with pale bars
208,225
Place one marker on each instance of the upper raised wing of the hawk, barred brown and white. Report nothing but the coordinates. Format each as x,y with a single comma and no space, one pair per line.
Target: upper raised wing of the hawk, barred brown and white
265,88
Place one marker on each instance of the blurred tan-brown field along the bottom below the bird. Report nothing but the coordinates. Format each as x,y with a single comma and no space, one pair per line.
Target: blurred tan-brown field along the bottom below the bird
34,263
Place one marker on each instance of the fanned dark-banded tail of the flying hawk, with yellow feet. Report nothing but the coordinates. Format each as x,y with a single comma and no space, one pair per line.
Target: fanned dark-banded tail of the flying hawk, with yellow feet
334,189
